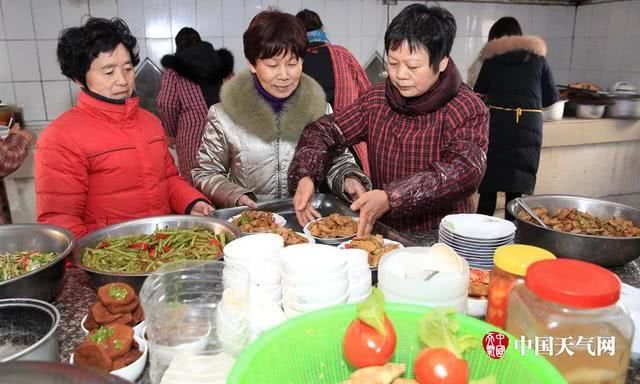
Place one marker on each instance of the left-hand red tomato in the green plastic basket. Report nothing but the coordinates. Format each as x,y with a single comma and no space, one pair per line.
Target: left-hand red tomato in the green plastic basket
363,346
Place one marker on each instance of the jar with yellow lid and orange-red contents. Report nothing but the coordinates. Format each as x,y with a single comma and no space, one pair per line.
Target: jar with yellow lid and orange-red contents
510,267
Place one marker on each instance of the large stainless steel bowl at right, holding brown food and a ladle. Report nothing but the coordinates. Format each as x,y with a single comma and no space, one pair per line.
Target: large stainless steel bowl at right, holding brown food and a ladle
605,251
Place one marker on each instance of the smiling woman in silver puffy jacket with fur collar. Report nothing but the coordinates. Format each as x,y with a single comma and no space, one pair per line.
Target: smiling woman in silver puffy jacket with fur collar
251,135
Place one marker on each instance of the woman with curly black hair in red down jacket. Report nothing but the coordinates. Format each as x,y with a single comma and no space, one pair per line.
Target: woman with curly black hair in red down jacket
106,160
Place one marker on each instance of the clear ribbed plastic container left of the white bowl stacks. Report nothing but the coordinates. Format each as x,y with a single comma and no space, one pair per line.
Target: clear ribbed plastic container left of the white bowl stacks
181,302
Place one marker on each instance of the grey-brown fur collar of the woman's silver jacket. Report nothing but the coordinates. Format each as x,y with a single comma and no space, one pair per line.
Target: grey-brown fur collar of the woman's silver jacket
244,105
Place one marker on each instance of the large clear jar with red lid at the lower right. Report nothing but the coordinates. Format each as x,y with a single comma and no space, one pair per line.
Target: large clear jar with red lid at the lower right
569,312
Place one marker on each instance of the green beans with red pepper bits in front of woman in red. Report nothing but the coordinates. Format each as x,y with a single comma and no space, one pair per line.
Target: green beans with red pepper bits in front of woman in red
146,253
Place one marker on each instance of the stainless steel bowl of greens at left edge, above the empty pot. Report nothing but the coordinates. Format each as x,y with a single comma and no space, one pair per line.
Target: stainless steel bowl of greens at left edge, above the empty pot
43,283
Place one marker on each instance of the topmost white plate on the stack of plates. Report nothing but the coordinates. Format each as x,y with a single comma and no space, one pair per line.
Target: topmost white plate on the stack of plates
476,226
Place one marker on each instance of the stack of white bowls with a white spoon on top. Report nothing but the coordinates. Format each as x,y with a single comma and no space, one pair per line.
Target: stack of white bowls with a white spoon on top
433,276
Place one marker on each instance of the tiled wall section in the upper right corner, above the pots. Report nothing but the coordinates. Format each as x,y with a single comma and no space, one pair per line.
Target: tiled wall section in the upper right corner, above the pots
607,43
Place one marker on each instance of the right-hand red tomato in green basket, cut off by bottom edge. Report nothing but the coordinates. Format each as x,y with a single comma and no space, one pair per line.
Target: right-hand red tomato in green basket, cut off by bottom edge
440,366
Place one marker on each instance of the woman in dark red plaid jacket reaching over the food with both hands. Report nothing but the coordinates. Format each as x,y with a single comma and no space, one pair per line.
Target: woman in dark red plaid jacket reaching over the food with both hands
426,131
